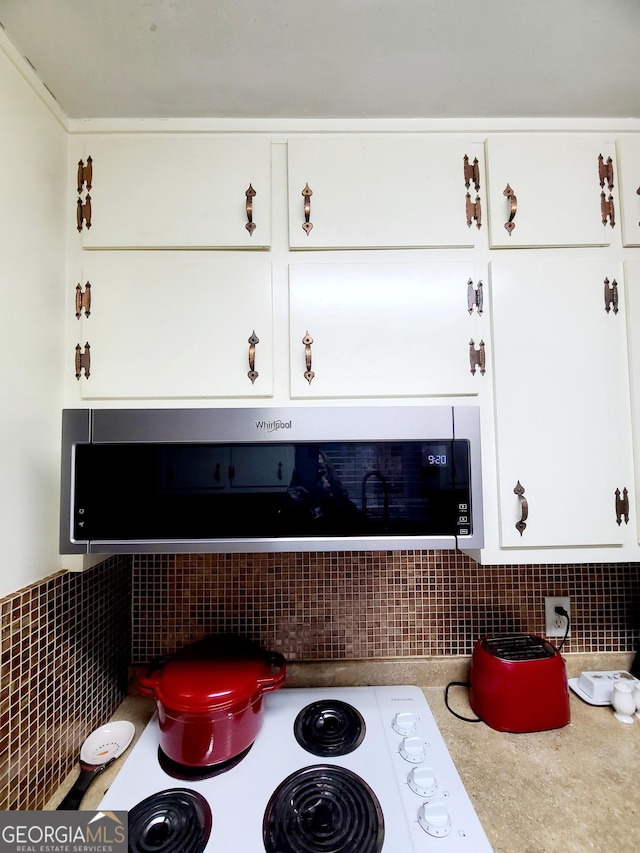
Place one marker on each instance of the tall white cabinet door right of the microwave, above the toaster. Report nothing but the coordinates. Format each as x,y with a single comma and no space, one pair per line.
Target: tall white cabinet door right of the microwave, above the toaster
561,399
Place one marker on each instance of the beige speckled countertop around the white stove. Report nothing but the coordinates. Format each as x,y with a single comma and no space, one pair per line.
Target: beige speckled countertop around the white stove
560,791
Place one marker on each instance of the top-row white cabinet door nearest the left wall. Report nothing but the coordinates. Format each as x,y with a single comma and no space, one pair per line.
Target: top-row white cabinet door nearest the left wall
174,190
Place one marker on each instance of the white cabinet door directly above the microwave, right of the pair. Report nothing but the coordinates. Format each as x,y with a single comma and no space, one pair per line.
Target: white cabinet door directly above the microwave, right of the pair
386,330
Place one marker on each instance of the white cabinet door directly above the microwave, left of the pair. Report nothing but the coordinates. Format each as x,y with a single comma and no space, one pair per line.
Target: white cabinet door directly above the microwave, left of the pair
176,324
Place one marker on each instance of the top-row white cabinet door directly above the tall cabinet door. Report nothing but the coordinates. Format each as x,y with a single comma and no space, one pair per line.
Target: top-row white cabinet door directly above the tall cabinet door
545,190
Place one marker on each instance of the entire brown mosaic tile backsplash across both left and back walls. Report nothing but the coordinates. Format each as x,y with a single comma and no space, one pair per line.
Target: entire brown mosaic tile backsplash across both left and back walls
67,641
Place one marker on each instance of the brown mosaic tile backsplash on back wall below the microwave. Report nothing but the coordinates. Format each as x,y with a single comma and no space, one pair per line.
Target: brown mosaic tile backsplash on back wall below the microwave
365,605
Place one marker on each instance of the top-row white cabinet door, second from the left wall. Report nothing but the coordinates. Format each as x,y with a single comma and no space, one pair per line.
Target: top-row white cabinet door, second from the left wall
389,191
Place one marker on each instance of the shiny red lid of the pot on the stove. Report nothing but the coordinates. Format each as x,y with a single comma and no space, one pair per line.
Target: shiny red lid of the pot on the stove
199,685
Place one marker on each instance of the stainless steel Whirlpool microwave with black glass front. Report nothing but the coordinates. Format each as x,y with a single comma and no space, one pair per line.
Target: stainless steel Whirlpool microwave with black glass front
293,479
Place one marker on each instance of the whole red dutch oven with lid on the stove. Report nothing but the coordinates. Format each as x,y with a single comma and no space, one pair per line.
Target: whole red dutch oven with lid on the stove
210,706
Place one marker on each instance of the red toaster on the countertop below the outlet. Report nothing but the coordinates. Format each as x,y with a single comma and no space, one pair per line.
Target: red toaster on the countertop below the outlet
519,684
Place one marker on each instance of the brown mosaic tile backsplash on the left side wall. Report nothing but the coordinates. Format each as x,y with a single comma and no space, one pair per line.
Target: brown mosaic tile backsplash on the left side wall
66,645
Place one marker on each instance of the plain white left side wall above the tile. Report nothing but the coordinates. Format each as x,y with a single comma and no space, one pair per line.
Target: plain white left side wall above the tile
35,213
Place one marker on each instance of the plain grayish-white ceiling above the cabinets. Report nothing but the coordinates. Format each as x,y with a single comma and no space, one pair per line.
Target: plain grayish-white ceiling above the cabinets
333,58
